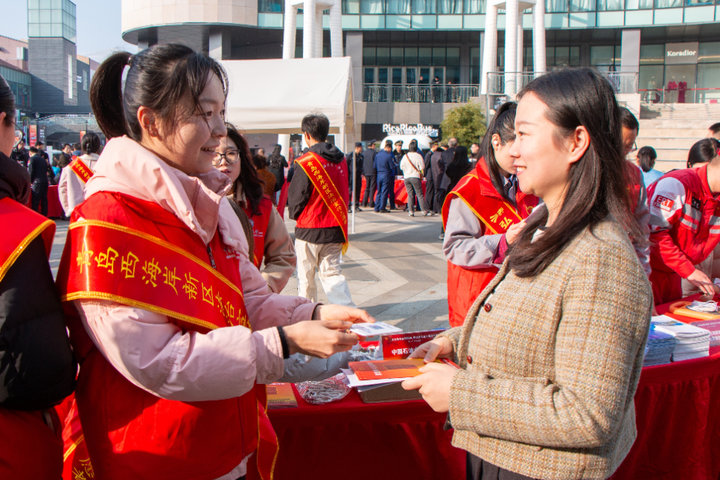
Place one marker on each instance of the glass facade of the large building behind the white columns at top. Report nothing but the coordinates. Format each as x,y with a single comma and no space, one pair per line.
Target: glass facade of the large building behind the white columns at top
424,42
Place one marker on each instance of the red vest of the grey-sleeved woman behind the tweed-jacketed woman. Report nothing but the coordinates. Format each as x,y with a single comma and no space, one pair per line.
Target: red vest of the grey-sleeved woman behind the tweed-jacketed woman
496,215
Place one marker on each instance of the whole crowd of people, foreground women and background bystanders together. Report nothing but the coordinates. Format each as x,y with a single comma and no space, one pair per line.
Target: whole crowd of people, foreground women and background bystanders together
176,253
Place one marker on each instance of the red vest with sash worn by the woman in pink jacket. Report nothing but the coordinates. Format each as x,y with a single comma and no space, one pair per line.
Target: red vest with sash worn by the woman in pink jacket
136,253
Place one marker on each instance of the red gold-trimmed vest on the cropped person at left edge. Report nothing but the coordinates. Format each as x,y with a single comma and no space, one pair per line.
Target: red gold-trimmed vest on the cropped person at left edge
29,448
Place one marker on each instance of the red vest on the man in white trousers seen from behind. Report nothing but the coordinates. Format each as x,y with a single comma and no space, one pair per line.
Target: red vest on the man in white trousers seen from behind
328,202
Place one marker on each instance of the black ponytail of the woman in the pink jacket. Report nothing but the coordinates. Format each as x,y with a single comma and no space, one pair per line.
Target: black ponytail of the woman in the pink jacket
106,96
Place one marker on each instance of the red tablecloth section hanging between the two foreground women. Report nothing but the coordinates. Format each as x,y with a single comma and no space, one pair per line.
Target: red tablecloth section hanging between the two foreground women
351,440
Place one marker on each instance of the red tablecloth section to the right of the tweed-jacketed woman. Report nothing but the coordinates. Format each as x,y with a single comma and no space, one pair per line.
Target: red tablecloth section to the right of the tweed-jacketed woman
678,421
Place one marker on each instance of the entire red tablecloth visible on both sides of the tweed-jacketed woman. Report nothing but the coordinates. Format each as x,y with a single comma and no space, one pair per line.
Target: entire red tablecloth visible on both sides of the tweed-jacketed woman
678,421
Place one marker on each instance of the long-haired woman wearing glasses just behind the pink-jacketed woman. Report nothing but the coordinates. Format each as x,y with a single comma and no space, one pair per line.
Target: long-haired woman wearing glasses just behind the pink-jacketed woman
269,240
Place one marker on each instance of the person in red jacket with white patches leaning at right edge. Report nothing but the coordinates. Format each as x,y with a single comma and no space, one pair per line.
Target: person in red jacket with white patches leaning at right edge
685,228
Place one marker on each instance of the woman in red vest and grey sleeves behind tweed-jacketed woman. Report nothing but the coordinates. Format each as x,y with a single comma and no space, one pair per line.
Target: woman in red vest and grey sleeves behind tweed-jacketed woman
482,215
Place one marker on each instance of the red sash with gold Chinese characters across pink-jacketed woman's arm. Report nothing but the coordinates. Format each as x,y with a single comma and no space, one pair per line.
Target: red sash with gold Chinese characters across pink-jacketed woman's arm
130,267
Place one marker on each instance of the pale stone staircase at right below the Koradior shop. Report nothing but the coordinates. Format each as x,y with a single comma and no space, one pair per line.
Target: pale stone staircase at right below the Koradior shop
672,128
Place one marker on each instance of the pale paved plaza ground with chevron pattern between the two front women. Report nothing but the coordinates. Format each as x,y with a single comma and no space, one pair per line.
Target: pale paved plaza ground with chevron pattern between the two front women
394,266
